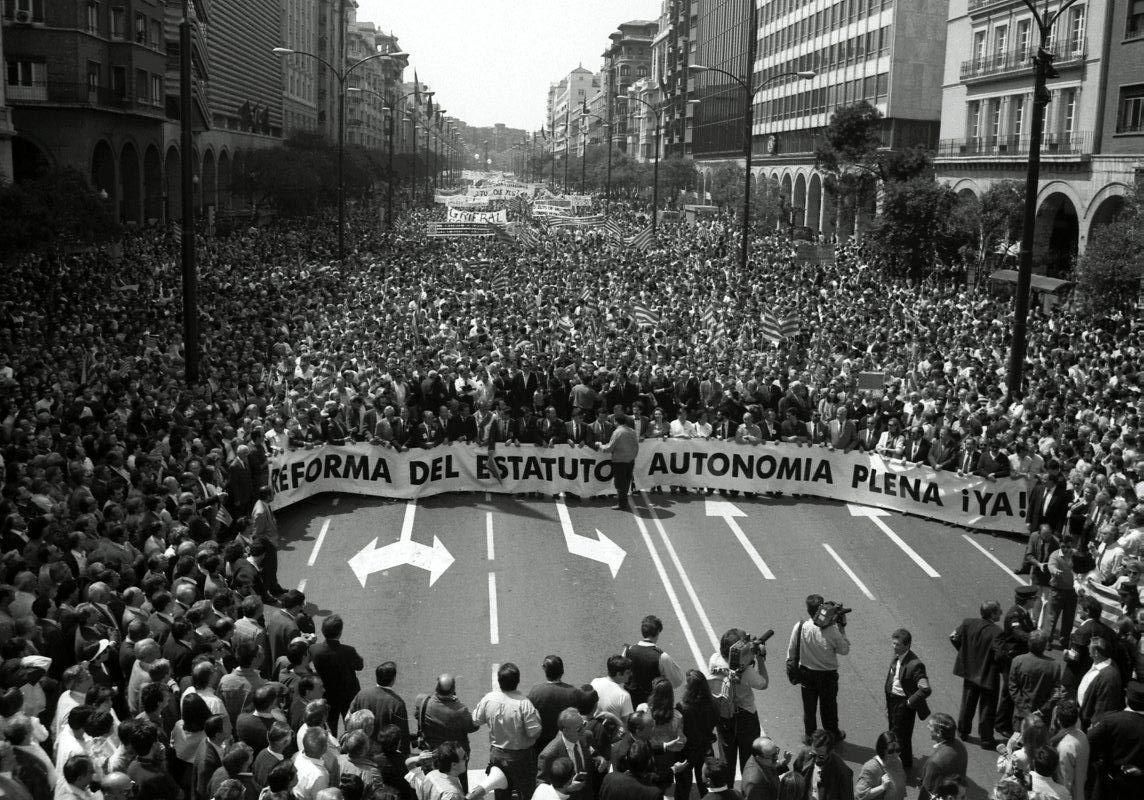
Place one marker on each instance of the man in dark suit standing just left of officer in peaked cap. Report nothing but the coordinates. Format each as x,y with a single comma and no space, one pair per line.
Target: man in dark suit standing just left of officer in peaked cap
976,669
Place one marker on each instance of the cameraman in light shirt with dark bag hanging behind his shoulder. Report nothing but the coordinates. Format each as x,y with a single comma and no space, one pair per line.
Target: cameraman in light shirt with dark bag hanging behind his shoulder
813,663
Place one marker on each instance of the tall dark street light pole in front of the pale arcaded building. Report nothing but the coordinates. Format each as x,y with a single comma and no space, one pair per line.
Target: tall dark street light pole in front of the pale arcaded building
1043,70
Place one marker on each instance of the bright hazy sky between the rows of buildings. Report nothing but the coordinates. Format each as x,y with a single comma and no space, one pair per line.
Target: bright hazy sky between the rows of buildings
491,61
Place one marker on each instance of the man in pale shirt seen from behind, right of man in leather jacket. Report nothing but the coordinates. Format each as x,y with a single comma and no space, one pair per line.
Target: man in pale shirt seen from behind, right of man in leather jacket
514,726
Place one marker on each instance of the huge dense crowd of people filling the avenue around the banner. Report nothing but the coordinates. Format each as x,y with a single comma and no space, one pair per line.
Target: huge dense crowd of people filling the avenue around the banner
149,652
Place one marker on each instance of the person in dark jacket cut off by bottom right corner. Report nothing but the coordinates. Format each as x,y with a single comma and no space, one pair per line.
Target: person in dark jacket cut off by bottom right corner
1117,749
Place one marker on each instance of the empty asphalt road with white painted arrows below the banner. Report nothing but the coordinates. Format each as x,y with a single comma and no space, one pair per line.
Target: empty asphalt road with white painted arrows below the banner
522,585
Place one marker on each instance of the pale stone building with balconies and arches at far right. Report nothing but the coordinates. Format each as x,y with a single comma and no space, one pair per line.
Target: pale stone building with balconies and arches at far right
1094,138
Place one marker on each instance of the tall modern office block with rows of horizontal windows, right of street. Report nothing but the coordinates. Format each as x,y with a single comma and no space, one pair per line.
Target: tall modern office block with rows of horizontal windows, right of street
889,53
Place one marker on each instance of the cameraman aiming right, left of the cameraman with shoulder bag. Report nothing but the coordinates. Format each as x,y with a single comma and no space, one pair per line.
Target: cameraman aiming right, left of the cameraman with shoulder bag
736,671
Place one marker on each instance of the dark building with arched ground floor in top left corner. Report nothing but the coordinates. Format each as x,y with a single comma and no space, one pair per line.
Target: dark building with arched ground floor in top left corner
88,86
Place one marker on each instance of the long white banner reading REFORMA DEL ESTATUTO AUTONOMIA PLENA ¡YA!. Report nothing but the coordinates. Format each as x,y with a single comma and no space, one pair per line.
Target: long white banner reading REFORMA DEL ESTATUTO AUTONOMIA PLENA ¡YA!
853,478
